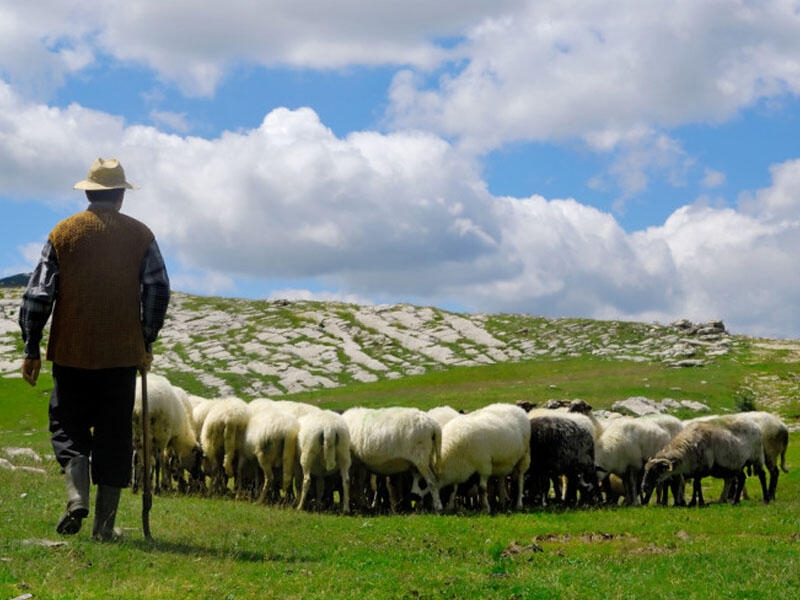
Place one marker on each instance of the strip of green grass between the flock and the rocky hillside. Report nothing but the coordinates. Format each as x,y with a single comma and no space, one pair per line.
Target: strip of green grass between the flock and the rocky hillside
599,381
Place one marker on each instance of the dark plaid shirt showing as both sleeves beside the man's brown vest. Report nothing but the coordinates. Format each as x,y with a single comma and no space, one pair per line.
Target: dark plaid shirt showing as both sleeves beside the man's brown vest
42,291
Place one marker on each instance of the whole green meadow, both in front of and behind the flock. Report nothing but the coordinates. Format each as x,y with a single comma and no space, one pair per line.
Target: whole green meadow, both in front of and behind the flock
215,548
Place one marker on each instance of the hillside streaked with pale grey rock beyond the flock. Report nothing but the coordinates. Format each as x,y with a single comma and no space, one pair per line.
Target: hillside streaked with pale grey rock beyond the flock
271,348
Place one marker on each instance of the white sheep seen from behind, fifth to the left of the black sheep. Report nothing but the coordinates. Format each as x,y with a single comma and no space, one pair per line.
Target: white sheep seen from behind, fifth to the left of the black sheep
221,439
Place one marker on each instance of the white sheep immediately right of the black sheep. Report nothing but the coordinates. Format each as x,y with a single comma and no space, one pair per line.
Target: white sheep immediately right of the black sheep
623,449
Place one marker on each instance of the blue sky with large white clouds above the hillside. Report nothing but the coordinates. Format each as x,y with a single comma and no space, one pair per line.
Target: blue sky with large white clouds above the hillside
620,159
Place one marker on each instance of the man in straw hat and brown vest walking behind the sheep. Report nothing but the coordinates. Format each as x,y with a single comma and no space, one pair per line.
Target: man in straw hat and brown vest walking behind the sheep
102,276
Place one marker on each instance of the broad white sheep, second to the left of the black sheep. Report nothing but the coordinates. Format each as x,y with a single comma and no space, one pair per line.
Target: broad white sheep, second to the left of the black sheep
394,440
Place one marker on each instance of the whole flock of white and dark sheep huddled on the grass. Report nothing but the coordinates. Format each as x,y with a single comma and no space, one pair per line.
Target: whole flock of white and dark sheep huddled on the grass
501,456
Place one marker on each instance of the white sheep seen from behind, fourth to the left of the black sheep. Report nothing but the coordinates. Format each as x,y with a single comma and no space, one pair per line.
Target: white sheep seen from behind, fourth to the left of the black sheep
270,440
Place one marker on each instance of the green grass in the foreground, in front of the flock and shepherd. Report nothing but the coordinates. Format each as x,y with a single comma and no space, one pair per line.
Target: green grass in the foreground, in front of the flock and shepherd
211,548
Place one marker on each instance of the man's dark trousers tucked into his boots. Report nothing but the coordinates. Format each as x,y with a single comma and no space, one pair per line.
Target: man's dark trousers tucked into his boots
91,414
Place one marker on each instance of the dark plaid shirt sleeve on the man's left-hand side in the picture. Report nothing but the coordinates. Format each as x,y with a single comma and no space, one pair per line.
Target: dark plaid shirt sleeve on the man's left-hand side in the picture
37,301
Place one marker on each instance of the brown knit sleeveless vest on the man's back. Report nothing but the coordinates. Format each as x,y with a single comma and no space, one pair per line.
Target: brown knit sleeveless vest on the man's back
97,315
